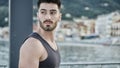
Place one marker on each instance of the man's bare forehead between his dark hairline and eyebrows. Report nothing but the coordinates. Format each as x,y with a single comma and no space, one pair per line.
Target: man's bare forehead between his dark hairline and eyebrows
48,6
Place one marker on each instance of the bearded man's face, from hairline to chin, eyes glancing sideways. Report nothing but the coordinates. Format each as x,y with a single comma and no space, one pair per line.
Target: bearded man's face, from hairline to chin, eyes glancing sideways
48,16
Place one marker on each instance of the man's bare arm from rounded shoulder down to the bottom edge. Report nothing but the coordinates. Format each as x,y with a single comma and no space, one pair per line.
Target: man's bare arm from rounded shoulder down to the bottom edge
29,54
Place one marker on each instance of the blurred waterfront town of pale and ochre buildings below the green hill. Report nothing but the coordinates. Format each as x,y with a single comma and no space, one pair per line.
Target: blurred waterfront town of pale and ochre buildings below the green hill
104,26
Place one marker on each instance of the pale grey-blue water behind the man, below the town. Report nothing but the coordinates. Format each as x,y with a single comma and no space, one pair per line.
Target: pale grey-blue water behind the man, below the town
76,55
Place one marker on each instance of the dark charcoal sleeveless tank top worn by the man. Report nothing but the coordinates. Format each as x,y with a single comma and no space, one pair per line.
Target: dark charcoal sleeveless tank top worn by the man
53,59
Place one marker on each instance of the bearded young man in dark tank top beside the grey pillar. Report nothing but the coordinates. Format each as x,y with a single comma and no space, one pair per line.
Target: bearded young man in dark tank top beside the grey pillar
40,50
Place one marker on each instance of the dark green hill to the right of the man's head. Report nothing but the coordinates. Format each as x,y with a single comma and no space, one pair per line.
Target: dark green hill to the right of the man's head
89,8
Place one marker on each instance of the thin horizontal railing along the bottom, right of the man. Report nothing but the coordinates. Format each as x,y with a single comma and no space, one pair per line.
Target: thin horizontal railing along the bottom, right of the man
90,65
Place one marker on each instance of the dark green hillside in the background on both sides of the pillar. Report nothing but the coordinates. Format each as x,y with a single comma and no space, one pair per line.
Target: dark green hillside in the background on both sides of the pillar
72,8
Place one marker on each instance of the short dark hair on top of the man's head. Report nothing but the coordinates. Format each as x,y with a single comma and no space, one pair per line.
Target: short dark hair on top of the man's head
49,1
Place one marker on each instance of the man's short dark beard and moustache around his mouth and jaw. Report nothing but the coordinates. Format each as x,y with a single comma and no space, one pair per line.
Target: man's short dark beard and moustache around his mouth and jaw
50,27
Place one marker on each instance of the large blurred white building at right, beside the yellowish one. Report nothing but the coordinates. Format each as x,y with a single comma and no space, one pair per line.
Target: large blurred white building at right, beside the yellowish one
104,24
